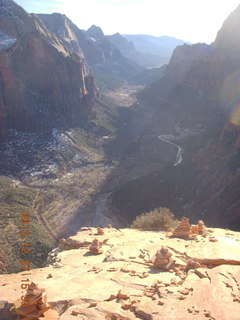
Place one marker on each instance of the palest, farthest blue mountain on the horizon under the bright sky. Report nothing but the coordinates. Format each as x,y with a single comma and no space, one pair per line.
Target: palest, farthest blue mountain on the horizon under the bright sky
160,46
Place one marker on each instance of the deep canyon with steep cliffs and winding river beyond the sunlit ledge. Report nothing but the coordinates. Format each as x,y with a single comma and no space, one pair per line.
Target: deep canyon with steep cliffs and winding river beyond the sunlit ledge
84,143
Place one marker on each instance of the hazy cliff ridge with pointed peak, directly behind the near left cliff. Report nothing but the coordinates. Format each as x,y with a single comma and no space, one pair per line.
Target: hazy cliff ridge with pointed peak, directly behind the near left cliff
104,59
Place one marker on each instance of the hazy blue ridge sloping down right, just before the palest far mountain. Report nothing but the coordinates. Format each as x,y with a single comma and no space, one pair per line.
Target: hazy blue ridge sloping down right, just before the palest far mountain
128,49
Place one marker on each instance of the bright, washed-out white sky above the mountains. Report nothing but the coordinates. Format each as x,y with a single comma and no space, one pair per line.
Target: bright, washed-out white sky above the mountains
189,20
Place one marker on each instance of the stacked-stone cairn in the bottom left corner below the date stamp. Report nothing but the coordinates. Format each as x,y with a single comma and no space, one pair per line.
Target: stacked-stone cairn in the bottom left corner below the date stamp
36,305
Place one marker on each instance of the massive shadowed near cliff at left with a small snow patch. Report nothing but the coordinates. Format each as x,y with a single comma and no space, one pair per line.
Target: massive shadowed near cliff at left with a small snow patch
43,85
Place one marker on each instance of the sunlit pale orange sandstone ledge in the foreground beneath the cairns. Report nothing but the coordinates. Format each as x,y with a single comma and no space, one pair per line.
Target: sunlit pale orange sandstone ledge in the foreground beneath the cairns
122,282
